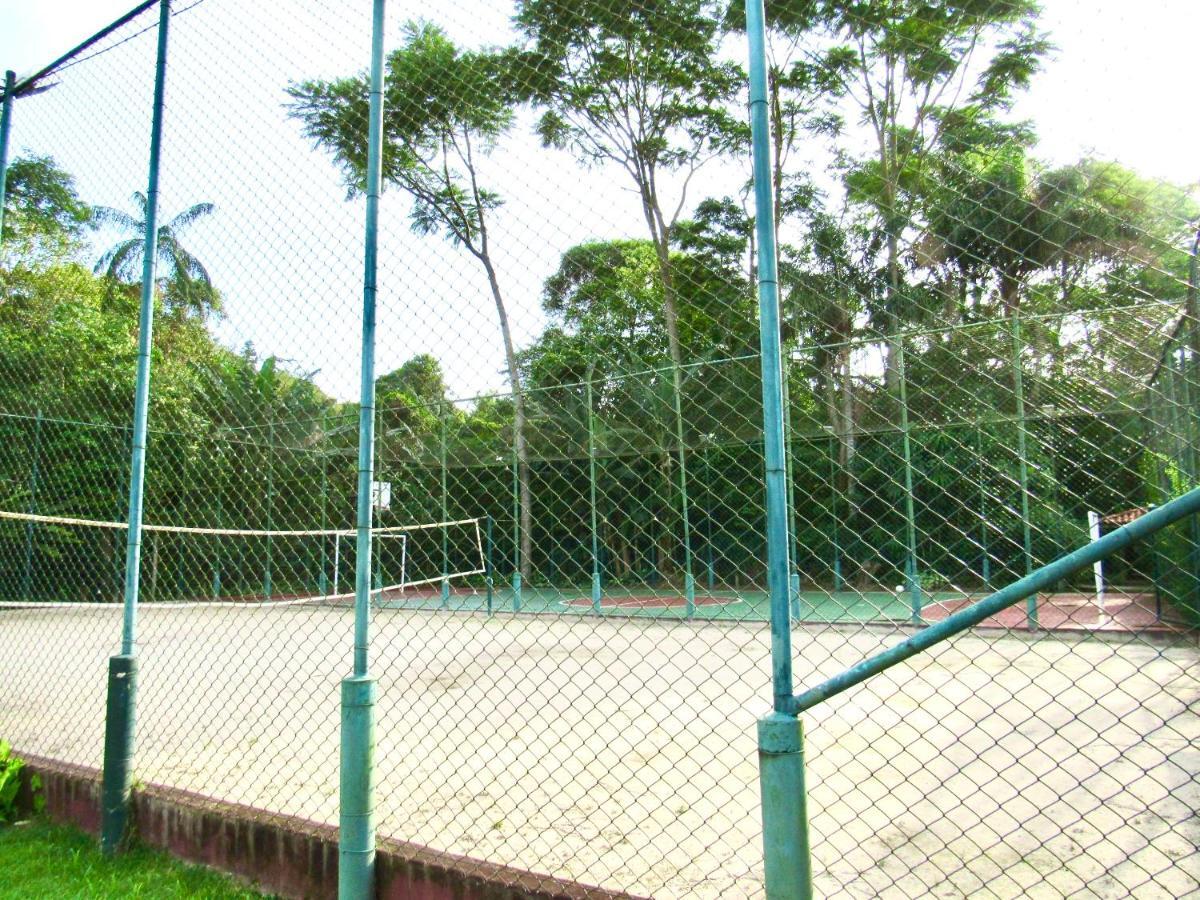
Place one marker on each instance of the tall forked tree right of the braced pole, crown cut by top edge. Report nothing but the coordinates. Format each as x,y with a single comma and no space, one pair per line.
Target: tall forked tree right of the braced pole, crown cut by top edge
916,70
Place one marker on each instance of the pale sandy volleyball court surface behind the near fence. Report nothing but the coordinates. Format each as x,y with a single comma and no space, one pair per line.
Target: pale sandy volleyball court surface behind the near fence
622,753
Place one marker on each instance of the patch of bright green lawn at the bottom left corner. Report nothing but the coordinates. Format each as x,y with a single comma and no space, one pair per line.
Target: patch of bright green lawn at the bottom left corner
41,860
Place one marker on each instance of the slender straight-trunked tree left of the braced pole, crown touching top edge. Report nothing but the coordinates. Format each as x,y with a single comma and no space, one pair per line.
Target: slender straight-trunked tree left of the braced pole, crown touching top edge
641,87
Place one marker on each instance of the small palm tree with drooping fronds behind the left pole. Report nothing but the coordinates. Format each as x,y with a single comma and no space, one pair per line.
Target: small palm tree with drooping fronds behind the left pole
188,287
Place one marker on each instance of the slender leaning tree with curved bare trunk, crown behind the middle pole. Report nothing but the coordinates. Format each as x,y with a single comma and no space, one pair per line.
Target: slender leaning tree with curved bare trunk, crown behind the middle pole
445,110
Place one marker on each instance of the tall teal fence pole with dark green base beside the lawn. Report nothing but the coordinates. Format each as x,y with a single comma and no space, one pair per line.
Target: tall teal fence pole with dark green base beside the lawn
119,722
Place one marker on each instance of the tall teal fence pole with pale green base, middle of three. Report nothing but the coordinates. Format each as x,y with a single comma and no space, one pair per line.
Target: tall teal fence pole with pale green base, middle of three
356,865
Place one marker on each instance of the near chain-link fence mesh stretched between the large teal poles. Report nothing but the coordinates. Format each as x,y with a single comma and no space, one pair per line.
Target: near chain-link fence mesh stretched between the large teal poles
988,362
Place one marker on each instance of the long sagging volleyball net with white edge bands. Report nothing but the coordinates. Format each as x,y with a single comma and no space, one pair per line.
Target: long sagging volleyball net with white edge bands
50,561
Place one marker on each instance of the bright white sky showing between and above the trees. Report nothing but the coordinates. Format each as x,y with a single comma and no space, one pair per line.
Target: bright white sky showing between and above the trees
1120,87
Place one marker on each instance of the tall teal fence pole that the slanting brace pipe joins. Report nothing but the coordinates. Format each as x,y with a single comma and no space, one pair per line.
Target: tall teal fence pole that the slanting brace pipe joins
788,869
